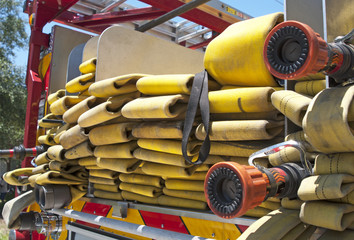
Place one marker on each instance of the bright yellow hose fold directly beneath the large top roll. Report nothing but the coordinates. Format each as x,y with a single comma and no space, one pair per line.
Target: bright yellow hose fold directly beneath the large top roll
242,100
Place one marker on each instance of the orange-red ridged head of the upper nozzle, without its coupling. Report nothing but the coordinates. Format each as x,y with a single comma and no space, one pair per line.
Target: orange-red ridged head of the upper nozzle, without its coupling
293,50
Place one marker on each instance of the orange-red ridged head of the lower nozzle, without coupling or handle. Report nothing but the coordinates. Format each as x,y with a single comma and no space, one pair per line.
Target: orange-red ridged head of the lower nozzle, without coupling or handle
231,189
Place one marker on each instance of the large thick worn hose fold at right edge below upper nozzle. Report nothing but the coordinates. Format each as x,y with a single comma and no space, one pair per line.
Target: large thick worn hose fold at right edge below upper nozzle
327,121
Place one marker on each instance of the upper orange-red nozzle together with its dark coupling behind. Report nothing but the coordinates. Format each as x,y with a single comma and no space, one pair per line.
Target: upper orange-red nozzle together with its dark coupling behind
293,50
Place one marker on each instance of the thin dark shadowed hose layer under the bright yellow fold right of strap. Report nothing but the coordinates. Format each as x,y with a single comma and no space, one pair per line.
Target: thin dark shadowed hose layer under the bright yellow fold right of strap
272,115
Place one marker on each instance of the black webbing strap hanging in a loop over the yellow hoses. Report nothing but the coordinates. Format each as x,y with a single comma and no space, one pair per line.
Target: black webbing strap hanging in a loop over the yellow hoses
198,97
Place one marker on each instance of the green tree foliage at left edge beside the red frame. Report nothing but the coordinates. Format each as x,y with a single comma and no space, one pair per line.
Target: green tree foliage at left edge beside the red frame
13,92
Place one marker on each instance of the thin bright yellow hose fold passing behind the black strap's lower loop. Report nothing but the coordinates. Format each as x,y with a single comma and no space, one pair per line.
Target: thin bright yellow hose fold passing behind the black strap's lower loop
169,146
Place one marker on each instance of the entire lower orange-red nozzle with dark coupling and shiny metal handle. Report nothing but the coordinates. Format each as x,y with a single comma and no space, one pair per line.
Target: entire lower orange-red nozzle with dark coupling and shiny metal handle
232,189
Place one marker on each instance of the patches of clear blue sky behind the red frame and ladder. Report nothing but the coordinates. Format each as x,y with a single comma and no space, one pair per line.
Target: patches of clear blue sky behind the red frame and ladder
254,8
